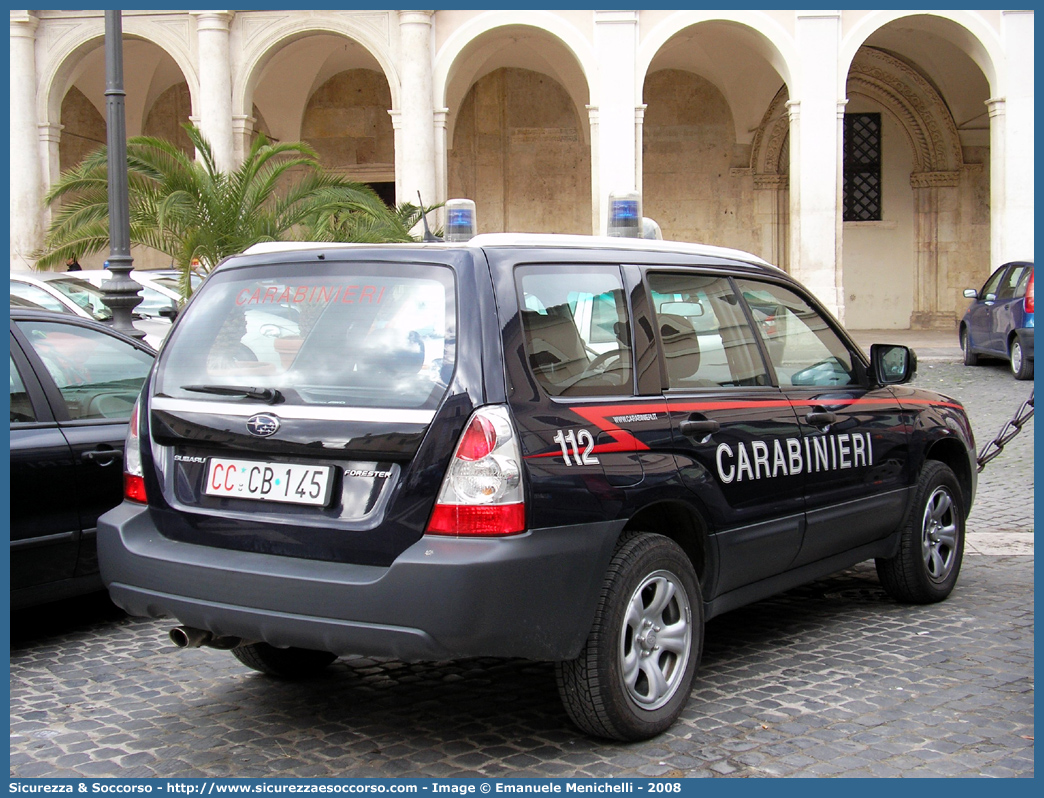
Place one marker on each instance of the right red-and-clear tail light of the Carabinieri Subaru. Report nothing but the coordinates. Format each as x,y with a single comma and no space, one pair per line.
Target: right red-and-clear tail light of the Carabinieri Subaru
482,494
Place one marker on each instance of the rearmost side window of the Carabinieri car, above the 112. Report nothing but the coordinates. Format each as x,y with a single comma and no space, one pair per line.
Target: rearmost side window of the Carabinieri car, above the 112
576,327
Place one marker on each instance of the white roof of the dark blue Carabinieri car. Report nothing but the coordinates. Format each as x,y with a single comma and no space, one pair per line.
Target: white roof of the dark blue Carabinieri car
536,241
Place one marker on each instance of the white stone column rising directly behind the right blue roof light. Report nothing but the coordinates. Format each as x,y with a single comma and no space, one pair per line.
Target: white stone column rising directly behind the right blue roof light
614,161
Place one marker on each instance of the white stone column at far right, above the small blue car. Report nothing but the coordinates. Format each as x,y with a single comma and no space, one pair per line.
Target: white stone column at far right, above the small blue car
1017,222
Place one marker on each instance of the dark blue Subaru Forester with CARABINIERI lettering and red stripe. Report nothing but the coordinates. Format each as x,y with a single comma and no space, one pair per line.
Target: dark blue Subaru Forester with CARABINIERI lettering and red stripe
556,448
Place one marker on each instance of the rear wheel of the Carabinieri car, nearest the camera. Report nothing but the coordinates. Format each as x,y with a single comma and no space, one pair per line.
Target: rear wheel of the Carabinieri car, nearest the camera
634,676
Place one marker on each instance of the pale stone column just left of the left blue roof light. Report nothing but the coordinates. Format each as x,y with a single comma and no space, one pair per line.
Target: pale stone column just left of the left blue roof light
415,154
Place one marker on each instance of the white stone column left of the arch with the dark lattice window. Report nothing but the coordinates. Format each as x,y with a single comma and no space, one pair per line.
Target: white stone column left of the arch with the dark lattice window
816,157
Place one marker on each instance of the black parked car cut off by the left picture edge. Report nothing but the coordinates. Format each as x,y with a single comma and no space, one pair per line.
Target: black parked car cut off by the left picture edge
73,386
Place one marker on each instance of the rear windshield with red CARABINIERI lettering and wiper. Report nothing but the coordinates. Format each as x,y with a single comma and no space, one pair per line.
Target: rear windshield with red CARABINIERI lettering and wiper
370,336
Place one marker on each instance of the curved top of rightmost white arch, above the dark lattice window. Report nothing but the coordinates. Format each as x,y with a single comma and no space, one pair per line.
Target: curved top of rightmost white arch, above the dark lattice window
966,30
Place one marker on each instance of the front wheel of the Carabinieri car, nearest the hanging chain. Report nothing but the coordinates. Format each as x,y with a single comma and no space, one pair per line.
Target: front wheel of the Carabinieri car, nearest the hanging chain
932,545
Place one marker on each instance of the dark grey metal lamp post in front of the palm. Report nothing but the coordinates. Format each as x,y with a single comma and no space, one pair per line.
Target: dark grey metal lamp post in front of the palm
122,294
